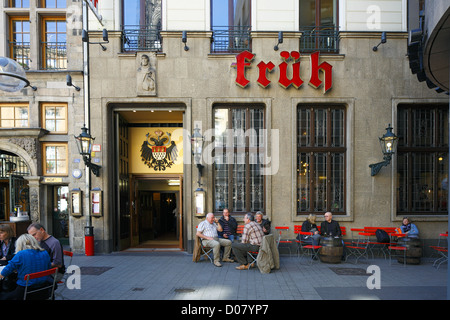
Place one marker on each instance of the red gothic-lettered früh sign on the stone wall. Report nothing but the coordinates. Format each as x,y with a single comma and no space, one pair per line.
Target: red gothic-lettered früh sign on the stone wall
244,60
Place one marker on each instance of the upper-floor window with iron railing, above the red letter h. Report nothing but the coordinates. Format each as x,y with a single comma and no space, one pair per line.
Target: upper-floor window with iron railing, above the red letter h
318,22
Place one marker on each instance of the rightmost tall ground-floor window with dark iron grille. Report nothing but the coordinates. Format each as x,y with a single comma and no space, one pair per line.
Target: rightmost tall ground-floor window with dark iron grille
422,160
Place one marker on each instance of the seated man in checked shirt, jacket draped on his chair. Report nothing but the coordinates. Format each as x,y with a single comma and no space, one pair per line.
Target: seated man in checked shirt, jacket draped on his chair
251,241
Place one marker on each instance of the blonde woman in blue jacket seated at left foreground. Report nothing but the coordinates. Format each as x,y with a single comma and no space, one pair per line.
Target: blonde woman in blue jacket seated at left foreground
29,258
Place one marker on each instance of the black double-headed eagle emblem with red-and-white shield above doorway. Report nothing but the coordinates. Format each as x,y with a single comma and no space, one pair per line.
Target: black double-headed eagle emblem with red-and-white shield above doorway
159,151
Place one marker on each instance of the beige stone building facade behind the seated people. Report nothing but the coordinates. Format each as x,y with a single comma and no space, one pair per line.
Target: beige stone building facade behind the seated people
289,96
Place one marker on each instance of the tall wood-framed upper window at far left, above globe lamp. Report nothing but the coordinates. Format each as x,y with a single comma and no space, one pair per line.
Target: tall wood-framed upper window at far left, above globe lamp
19,44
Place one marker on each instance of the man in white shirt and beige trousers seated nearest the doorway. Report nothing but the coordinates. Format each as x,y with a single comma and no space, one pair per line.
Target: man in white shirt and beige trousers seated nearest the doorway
207,231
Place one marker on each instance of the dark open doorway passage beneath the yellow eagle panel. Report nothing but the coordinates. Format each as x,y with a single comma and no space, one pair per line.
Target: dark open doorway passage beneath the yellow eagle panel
157,219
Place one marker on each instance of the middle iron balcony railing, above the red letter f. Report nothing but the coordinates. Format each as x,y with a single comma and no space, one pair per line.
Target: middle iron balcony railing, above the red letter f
230,39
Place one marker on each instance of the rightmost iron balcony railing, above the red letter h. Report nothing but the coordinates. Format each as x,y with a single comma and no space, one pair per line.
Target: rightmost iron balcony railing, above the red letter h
319,38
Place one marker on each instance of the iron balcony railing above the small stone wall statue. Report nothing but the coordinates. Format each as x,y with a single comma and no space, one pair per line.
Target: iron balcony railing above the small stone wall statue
141,38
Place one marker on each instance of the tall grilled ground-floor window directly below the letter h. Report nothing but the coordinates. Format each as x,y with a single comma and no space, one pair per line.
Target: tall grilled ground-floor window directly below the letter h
321,155
